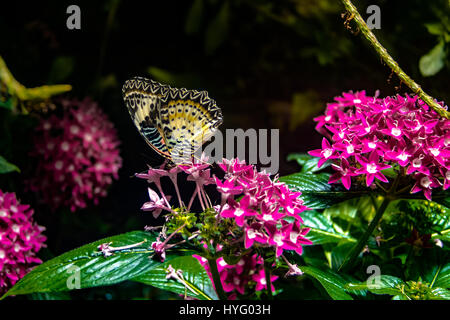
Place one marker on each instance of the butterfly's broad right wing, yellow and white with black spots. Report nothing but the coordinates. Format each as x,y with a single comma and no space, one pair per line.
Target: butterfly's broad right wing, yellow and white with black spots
187,118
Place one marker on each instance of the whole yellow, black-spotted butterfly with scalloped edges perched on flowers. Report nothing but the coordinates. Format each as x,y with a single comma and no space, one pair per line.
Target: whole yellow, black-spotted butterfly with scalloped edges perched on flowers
174,122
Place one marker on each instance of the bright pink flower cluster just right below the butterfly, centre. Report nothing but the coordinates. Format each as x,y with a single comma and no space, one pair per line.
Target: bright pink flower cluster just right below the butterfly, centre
263,208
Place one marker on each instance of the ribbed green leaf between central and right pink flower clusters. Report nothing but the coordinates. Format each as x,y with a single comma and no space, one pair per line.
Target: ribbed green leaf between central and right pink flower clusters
316,192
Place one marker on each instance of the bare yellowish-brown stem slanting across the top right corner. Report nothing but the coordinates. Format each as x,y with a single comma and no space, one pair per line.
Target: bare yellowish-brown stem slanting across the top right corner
393,65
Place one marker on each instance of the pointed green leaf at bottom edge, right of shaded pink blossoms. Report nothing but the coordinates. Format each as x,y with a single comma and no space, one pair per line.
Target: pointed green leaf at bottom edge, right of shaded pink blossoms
332,282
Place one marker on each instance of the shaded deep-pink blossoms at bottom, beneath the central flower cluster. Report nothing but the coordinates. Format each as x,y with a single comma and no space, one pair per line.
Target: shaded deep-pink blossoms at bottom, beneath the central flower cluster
236,278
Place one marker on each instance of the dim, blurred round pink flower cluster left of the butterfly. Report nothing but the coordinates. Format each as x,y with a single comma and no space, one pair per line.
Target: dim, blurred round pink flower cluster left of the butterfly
78,155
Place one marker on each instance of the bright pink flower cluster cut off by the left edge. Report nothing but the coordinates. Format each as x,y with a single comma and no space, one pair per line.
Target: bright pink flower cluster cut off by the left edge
20,240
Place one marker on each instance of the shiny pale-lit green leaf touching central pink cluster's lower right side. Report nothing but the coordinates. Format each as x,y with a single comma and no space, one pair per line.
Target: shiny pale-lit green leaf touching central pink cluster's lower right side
322,230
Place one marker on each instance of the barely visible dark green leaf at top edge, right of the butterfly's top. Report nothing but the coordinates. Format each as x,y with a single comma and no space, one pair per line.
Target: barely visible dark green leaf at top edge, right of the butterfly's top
217,30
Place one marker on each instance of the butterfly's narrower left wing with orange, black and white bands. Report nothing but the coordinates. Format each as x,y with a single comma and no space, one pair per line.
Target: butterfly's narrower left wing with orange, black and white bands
142,101
